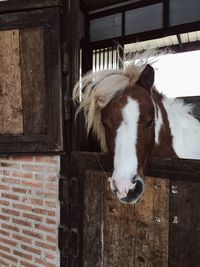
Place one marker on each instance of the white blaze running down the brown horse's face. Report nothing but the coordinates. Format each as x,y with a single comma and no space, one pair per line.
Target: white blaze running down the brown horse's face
125,159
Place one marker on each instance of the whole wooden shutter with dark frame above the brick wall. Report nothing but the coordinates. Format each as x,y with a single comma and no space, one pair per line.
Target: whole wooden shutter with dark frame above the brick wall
30,82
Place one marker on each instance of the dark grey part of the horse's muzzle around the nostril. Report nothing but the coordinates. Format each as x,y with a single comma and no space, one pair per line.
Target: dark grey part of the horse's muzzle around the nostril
134,194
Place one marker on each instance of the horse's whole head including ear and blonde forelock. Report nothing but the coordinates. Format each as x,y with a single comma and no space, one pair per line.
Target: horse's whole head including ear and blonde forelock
118,107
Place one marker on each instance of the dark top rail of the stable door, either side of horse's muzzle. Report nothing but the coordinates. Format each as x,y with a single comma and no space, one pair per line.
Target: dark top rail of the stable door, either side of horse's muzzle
173,169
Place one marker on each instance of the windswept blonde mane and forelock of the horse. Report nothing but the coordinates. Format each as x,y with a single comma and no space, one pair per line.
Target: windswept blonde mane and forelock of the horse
97,89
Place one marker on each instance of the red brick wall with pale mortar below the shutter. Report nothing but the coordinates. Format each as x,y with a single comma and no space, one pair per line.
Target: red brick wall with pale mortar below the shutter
29,211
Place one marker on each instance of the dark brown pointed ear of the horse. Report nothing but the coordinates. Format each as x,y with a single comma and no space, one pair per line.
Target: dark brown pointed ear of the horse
146,78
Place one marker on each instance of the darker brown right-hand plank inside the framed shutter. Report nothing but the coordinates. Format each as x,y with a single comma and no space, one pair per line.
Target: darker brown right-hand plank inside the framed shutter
33,80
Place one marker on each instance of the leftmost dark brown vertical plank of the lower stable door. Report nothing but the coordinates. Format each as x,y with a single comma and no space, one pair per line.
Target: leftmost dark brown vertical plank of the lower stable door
93,220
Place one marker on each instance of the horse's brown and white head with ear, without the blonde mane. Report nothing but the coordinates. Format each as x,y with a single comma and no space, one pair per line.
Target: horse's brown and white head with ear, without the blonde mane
128,121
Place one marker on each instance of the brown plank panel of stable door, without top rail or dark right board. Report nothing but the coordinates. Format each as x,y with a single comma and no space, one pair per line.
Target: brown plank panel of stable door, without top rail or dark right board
128,235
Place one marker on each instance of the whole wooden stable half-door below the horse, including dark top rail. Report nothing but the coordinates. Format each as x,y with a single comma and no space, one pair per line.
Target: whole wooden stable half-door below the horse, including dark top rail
161,230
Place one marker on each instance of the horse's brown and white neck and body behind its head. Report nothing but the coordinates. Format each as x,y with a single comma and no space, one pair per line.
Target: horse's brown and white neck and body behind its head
176,130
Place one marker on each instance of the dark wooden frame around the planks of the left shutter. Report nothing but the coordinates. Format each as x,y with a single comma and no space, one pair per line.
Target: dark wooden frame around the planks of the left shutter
52,141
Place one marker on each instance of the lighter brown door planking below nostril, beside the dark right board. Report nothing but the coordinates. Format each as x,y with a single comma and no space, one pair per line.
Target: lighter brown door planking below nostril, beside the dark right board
152,214
